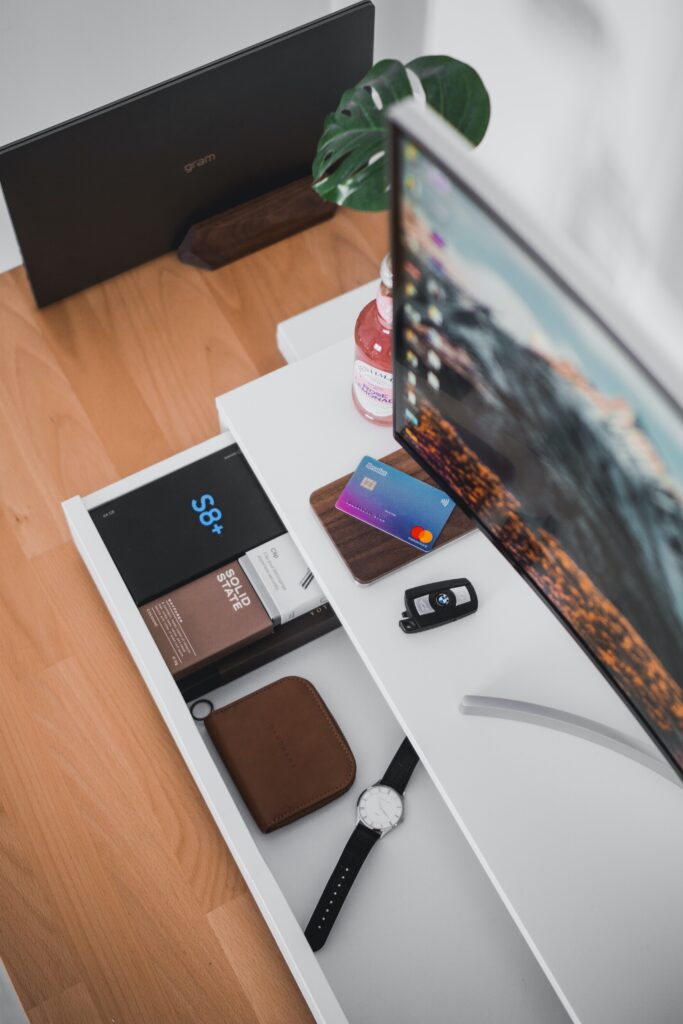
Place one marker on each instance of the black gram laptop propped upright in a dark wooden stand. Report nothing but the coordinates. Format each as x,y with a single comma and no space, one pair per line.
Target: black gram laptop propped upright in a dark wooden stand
105,192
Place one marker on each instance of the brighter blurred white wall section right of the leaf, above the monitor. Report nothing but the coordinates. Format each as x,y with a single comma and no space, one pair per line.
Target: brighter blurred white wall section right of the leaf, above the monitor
587,130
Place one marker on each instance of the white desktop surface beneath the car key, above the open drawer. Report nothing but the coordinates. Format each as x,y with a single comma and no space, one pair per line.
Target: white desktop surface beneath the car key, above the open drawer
584,846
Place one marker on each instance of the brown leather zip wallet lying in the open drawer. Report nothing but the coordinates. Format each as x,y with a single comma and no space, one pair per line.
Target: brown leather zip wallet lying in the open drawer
284,751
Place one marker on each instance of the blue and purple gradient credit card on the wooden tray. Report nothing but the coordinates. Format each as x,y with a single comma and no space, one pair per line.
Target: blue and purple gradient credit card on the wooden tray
397,504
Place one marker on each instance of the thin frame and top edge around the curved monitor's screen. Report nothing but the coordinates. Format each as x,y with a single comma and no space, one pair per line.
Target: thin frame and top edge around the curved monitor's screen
416,122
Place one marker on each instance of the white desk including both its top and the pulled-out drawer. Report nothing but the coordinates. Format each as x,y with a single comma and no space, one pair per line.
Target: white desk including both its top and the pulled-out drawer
583,846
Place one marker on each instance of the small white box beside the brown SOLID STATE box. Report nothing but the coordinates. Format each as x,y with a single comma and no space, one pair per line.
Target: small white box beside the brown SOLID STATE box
283,581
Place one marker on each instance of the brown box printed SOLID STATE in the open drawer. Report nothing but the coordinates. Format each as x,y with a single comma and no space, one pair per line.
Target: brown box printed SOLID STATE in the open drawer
205,619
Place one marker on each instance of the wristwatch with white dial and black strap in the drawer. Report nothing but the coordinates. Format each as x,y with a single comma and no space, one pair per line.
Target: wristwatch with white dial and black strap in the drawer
380,809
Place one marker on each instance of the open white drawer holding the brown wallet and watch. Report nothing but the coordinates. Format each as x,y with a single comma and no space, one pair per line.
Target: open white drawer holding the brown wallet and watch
422,928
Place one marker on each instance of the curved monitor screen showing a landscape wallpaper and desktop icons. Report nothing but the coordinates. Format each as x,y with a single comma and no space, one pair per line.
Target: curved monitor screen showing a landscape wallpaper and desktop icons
538,420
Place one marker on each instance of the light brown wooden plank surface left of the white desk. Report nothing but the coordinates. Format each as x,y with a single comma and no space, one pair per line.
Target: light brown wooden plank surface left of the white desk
119,902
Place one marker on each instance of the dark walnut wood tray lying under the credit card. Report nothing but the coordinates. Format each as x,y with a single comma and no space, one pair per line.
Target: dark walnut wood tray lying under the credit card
368,552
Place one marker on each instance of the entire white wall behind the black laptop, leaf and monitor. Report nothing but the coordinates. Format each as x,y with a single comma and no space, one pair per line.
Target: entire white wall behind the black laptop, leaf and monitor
587,125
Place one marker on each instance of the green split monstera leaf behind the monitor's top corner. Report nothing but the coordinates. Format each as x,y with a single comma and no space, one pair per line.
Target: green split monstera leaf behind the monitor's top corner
351,166
